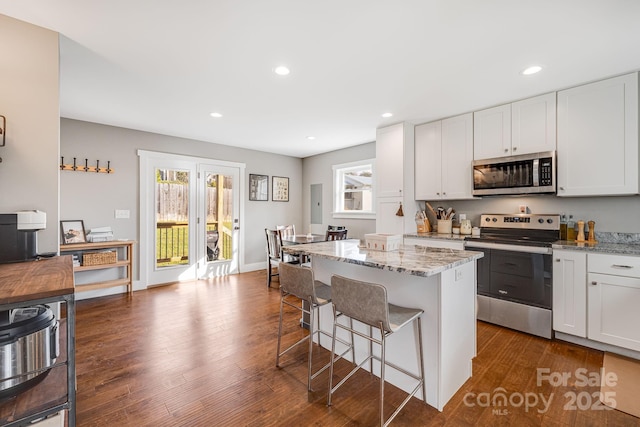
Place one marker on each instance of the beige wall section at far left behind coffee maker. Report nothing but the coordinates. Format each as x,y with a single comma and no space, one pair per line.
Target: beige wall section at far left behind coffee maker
29,99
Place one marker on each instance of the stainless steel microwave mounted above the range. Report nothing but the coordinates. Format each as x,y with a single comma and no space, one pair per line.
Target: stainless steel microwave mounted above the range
522,174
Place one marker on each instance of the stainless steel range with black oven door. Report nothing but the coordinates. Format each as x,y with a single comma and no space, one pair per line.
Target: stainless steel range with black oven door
515,275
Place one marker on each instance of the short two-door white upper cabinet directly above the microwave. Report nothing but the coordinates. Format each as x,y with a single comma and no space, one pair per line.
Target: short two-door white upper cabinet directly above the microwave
522,127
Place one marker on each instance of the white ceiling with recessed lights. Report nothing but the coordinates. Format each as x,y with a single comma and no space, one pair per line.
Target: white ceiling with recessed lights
163,65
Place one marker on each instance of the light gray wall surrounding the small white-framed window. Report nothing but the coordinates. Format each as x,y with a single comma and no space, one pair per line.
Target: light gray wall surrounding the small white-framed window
317,170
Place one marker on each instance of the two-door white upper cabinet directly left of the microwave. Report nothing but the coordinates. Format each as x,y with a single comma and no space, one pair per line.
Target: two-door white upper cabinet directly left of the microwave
443,159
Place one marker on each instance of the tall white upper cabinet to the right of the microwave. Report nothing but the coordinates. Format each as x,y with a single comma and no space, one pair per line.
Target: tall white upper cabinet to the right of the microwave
598,138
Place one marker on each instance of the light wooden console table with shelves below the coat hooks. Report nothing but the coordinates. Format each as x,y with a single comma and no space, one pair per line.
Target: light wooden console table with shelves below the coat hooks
123,261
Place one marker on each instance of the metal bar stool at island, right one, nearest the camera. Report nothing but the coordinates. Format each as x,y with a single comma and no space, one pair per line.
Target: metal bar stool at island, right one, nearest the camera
367,303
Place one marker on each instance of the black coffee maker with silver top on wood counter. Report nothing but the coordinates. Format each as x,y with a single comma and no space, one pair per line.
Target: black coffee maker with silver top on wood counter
18,239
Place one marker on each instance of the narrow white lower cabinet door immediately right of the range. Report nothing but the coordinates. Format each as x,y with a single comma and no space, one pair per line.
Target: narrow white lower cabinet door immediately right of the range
569,292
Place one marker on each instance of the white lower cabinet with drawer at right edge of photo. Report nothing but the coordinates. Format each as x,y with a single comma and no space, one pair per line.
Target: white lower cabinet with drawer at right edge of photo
613,292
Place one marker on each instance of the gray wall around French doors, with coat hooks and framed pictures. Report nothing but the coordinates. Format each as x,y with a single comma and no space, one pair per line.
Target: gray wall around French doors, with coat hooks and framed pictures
93,197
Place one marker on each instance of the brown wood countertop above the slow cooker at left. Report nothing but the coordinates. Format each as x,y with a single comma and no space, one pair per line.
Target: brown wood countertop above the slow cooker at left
31,280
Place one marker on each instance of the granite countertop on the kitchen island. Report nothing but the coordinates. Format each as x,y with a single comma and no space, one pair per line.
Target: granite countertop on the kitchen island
414,260
